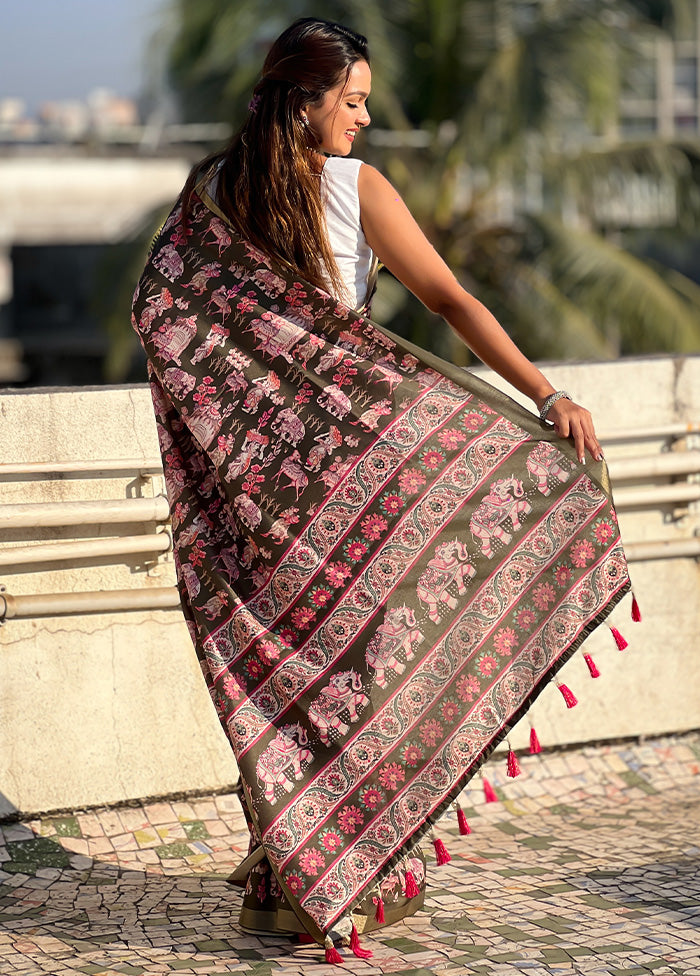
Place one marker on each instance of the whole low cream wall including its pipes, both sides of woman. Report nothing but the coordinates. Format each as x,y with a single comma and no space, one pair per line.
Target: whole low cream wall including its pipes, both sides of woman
108,705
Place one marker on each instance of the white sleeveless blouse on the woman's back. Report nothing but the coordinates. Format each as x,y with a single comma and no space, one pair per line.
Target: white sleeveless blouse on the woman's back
352,253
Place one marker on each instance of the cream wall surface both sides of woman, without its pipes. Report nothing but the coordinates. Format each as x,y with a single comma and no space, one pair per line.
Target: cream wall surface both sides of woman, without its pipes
102,708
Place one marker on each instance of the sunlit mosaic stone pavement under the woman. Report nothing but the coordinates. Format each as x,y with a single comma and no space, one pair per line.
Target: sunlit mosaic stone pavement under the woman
589,865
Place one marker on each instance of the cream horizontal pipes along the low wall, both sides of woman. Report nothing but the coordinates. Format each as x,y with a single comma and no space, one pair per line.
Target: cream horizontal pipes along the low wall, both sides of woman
650,471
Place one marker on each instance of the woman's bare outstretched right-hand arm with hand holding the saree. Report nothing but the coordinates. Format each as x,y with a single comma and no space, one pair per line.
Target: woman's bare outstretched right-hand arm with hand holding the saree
400,244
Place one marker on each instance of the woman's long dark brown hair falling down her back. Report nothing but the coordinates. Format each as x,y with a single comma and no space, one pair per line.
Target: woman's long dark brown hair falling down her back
268,185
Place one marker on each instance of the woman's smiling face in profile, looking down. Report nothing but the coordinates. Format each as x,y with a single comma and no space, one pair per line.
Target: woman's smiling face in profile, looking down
342,112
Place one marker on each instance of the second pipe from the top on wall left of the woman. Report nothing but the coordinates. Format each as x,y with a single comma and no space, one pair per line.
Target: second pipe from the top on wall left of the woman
45,514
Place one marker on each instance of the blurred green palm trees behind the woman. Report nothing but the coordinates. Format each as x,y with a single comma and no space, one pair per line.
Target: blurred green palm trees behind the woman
516,175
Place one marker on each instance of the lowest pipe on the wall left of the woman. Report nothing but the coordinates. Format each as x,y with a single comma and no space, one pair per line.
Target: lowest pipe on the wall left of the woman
98,601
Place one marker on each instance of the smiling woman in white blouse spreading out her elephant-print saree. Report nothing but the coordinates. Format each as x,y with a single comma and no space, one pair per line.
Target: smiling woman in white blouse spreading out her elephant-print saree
382,560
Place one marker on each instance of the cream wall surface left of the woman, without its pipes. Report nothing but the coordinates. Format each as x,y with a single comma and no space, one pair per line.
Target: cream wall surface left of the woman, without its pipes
96,708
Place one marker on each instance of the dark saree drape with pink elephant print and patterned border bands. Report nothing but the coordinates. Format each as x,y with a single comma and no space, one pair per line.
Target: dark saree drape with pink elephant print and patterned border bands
382,560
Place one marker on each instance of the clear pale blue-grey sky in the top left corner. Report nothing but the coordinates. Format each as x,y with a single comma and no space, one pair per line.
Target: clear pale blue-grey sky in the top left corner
63,49
